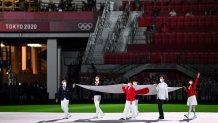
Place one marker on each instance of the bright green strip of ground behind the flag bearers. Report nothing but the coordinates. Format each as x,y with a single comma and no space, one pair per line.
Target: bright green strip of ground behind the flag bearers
108,108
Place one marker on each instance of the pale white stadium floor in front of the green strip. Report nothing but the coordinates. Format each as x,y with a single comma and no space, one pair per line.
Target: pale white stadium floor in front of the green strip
170,117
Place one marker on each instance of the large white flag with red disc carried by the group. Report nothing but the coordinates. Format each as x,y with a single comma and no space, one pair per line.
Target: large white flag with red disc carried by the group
117,88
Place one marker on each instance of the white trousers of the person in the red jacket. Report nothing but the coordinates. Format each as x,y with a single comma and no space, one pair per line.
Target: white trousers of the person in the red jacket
129,107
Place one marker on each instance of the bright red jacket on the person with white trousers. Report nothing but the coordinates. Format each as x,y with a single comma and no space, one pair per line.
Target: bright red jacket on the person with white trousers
130,93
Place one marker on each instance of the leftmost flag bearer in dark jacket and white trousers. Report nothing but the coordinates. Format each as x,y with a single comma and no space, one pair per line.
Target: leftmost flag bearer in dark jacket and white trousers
64,95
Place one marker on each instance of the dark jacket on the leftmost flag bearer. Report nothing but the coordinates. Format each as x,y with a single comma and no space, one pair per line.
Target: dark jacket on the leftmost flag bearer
64,93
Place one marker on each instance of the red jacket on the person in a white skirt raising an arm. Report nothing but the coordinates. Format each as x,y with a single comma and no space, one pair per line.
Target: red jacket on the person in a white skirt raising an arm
191,90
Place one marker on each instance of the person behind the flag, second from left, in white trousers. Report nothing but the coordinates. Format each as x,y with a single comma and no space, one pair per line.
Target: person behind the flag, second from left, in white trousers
97,99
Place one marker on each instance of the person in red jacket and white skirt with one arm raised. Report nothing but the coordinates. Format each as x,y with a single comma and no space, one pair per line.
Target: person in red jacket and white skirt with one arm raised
191,92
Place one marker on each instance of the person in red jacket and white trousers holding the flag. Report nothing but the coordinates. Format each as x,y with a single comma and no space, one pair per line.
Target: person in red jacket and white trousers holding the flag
130,101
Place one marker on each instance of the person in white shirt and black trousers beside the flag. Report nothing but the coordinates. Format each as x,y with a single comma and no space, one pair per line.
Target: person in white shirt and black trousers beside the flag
162,95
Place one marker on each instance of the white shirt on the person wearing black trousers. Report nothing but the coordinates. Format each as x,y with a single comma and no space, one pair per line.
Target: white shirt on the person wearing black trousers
162,91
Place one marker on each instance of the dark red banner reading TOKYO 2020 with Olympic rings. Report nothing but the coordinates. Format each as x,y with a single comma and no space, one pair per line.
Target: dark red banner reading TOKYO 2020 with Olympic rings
48,21
